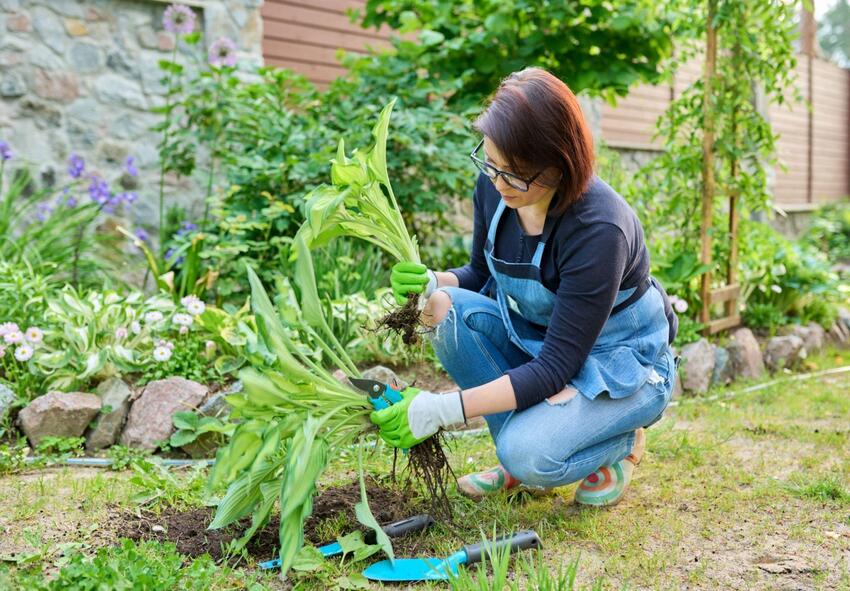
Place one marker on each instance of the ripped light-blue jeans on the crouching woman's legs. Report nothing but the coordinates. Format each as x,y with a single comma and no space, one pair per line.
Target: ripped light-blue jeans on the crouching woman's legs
548,444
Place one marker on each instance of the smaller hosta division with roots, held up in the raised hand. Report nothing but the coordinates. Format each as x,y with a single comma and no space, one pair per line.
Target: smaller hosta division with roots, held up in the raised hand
360,202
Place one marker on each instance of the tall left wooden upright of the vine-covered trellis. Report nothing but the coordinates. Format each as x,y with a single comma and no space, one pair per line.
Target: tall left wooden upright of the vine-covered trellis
708,160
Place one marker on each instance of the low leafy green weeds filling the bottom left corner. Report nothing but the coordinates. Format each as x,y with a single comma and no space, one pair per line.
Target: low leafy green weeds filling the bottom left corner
142,566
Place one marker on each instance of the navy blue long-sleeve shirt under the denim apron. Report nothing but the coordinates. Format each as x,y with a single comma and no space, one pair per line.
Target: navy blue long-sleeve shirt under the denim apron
596,249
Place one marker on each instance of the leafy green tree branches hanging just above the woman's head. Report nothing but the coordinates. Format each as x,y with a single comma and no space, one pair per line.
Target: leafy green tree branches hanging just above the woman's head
594,45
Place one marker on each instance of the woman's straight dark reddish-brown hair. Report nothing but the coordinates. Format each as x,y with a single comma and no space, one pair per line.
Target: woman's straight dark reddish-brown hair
536,122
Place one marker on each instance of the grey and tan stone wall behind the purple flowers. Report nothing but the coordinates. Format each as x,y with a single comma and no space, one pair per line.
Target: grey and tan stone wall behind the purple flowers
80,77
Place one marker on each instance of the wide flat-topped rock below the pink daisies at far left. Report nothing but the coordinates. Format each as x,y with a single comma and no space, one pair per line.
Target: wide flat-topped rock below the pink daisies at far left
58,414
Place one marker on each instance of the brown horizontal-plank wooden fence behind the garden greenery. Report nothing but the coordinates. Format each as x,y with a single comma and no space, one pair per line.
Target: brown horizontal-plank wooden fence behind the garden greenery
304,35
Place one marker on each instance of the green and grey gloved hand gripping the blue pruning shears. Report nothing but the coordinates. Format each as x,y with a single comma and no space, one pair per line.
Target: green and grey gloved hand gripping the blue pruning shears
418,416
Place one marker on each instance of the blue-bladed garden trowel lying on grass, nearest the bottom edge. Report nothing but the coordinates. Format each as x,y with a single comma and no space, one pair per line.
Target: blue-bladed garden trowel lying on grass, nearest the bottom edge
437,569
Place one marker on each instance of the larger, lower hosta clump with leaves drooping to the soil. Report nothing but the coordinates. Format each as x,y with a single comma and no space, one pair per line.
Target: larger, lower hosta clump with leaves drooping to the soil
295,416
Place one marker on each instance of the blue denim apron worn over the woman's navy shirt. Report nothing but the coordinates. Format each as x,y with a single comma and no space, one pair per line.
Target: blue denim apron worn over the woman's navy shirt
632,340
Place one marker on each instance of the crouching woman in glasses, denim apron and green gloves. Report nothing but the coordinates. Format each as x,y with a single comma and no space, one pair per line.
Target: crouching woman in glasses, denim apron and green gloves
555,331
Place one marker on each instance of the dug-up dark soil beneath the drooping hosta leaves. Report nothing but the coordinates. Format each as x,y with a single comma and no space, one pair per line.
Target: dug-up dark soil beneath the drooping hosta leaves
188,529
